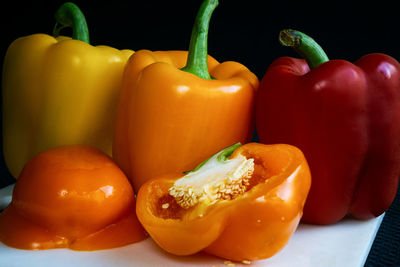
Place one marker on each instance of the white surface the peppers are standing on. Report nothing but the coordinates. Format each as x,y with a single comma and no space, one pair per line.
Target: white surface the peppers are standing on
345,244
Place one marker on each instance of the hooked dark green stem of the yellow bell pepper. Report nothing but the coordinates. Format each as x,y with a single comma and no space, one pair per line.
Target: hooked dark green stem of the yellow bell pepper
69,15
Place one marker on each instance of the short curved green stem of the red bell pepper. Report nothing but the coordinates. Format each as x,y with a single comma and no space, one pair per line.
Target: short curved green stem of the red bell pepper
305,46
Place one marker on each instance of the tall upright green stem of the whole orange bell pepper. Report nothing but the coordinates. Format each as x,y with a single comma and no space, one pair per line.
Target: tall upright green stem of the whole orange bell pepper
197,57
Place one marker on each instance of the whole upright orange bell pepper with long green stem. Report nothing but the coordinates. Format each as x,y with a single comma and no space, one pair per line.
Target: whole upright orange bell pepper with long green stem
169,119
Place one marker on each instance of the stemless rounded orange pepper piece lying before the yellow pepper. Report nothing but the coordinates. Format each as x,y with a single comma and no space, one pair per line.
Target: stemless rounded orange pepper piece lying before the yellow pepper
71,196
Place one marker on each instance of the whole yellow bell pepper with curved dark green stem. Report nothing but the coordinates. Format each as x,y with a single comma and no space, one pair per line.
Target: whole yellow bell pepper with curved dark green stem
59,91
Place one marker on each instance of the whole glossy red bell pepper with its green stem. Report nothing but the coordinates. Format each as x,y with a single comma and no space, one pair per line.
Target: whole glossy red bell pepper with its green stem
344,117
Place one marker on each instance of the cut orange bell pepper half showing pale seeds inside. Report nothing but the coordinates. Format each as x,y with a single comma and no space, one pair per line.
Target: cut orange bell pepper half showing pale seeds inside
245,207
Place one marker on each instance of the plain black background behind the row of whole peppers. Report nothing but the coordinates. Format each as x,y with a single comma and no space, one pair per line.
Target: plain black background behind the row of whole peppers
243,31
